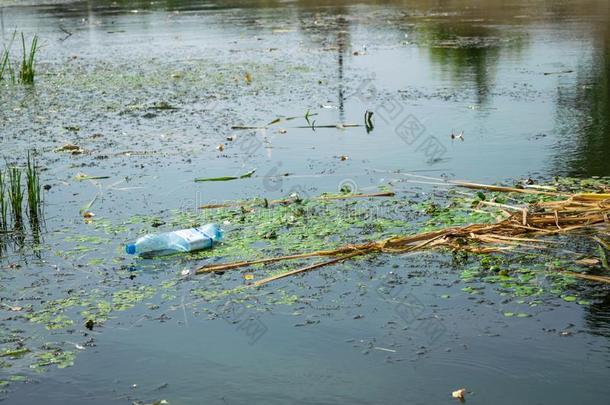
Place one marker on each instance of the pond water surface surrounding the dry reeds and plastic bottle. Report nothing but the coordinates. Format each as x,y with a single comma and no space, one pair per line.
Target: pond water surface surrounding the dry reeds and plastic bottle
156,94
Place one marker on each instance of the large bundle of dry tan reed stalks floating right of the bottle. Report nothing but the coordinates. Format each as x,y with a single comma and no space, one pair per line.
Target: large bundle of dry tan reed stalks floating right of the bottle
542,218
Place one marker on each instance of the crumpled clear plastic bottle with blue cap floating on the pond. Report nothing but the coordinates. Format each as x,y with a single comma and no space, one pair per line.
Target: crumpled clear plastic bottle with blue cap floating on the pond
185,240
